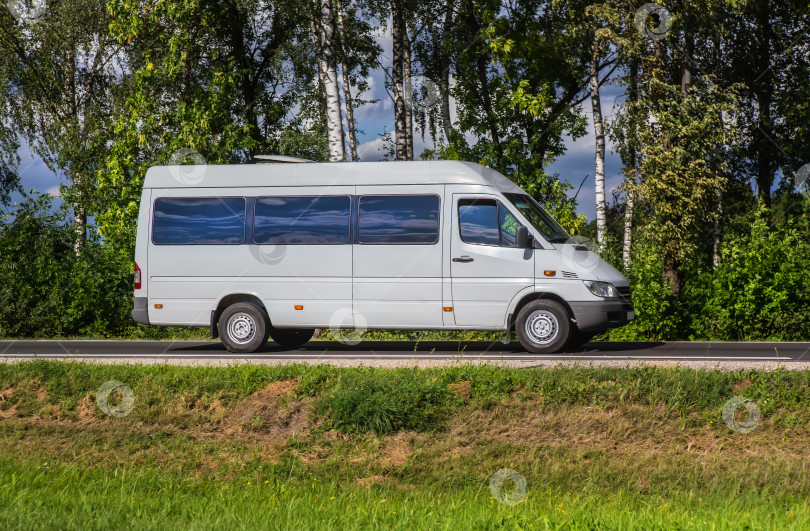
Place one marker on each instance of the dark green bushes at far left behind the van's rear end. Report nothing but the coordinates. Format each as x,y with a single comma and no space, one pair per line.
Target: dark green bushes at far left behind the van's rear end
46,289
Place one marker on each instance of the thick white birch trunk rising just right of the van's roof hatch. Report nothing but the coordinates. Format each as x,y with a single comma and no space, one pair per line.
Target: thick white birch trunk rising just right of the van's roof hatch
326,62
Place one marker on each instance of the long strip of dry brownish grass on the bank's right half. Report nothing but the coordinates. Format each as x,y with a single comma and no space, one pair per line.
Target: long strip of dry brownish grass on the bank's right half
619,431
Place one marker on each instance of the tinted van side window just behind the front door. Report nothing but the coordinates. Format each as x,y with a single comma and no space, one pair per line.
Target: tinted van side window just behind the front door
398,219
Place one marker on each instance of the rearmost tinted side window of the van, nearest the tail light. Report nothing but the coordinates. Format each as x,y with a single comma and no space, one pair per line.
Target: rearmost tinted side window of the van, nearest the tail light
199,221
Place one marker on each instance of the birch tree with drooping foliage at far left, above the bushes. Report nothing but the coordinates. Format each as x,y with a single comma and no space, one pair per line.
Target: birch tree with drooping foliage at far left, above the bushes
60,68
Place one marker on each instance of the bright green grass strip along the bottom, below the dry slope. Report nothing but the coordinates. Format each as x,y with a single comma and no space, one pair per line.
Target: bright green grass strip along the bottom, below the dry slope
41,496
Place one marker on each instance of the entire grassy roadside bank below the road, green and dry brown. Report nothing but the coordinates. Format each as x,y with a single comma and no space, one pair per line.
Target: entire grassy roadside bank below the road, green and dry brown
324,447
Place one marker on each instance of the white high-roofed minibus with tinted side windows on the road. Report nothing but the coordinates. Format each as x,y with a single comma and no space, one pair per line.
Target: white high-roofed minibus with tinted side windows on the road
278,250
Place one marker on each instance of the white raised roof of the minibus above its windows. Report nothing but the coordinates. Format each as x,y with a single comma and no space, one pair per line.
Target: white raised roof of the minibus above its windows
326,174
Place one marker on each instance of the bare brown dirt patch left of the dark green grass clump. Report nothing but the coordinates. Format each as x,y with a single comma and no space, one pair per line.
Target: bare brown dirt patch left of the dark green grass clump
272,411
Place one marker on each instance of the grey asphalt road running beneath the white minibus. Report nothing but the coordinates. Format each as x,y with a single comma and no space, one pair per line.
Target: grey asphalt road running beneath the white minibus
404,350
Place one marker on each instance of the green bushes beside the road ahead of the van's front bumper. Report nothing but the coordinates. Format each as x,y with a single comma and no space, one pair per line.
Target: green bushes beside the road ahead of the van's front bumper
759,291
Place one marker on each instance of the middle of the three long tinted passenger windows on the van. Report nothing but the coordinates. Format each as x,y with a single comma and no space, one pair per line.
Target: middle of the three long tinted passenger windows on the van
302,220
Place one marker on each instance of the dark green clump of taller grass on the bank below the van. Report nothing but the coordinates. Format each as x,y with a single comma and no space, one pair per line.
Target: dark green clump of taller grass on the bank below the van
370,401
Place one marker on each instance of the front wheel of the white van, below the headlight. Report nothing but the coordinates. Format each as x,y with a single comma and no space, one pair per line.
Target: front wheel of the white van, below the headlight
543,326
